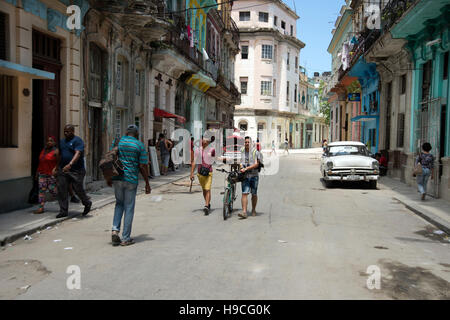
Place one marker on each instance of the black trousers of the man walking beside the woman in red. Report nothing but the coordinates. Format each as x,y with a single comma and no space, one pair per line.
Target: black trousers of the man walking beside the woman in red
63,179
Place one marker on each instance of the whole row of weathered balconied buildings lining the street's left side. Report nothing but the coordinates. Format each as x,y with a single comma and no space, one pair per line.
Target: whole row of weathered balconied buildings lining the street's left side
153,63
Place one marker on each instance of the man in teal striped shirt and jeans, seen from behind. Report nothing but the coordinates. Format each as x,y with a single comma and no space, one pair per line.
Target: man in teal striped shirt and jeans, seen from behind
134,158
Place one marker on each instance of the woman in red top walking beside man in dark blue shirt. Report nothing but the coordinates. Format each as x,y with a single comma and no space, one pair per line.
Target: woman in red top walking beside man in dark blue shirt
48,160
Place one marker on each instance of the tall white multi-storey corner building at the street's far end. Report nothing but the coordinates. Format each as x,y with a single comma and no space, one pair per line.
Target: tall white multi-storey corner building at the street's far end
267,71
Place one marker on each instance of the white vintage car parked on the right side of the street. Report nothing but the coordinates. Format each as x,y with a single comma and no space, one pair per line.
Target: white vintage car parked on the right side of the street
349,161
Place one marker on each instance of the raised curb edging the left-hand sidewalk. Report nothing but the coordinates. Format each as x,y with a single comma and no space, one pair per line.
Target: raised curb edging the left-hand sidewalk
101,204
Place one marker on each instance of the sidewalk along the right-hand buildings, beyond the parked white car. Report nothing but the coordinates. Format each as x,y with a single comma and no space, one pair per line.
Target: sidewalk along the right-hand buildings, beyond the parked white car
435,211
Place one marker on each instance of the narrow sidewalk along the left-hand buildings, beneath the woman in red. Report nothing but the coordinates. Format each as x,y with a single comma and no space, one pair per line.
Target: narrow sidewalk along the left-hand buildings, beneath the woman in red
17,224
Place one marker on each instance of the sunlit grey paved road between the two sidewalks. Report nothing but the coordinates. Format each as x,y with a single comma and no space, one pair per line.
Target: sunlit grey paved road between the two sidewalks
307,242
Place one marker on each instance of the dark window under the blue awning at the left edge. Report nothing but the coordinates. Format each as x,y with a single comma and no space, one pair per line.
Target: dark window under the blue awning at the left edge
7,111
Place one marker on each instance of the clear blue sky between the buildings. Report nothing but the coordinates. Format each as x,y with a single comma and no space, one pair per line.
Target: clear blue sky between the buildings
317,18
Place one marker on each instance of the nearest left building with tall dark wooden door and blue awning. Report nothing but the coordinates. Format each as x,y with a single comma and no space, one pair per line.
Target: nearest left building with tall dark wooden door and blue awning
40,88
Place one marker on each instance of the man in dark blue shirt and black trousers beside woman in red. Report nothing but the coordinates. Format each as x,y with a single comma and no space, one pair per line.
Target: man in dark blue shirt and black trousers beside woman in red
71,171
